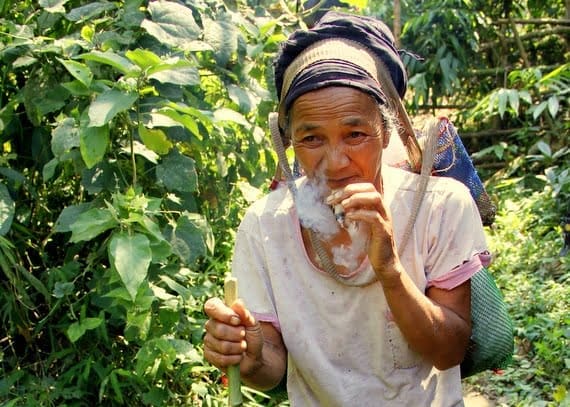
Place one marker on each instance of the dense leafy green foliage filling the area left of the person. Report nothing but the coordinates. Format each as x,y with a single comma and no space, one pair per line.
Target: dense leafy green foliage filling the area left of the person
129,132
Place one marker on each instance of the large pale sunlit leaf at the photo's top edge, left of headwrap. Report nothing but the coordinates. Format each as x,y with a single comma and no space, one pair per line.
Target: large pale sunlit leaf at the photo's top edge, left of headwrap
171,24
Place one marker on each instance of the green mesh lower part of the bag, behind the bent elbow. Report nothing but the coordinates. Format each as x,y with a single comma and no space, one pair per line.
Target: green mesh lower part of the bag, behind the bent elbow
491,342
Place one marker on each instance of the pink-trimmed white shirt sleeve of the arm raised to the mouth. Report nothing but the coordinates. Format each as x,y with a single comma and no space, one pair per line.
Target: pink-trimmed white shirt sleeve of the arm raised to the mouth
457,247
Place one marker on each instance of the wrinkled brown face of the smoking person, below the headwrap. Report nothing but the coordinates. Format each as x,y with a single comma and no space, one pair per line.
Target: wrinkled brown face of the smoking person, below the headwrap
337,134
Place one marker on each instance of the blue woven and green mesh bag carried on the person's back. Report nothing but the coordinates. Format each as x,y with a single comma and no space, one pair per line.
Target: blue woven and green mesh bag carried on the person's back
491,343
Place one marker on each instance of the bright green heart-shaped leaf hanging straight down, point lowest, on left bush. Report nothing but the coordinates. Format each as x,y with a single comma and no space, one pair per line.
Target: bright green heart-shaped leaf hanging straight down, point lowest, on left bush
131,255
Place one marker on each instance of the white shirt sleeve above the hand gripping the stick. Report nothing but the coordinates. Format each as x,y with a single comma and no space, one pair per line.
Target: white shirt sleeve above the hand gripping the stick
250,269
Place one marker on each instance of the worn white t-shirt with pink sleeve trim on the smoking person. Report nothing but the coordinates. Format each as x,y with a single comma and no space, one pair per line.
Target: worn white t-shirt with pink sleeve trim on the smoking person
344,349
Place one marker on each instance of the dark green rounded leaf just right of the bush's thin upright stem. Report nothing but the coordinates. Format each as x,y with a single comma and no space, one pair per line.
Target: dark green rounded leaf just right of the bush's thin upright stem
177,173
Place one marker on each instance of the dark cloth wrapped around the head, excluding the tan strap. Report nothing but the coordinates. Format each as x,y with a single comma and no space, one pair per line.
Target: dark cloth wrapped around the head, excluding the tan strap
366,31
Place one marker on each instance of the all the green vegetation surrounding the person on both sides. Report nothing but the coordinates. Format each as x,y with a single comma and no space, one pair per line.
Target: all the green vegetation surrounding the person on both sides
133,135
